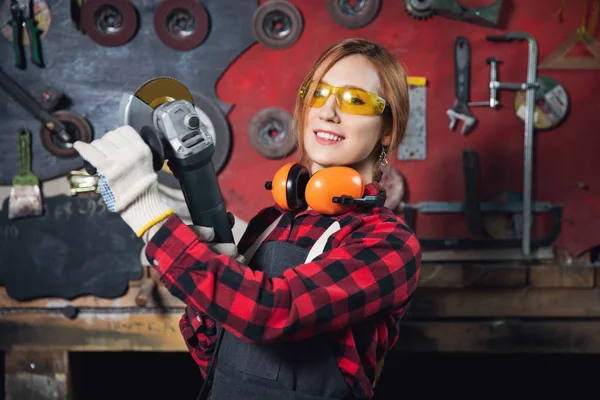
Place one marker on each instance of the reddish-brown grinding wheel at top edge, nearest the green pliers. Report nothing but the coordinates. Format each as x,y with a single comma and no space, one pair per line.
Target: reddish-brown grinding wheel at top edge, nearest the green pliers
109,22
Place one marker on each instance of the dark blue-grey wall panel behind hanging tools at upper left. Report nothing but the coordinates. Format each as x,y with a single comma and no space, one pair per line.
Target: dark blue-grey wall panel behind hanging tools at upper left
94,77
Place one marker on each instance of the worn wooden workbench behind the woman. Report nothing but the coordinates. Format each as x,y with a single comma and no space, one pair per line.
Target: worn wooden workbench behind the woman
458,307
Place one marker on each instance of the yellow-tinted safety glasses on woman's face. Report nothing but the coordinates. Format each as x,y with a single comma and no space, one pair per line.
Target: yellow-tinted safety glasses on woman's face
350,100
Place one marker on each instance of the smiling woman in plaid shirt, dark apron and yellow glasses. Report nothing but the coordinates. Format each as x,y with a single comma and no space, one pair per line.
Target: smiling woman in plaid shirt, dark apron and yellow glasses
295,325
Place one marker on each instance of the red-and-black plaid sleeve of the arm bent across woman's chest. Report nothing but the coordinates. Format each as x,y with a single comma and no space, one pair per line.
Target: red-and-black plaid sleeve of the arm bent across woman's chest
373,269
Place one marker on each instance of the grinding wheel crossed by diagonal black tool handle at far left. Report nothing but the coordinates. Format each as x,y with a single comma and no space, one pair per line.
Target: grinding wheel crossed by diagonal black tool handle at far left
75,125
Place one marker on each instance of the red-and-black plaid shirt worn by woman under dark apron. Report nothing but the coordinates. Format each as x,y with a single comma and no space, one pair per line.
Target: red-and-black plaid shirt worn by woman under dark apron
357,290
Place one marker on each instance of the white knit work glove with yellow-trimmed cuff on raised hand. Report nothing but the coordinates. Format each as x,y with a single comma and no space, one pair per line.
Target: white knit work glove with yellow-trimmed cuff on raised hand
128,182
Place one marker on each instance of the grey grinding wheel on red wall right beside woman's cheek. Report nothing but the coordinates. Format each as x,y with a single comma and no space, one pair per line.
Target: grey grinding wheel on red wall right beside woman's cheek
270,133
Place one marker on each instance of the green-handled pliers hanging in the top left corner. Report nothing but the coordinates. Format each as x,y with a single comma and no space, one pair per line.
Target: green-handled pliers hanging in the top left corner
22,15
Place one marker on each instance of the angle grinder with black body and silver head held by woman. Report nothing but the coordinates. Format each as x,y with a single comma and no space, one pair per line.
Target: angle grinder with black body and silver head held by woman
162,111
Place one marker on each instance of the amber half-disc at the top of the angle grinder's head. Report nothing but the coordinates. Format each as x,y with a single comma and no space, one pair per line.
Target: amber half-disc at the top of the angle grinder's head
157,91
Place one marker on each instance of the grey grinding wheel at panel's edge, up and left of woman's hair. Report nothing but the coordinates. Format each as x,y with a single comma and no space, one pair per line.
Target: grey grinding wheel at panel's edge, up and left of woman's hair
277,24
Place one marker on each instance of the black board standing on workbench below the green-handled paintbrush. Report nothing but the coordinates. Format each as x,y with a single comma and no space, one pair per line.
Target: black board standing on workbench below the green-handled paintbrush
76,248
